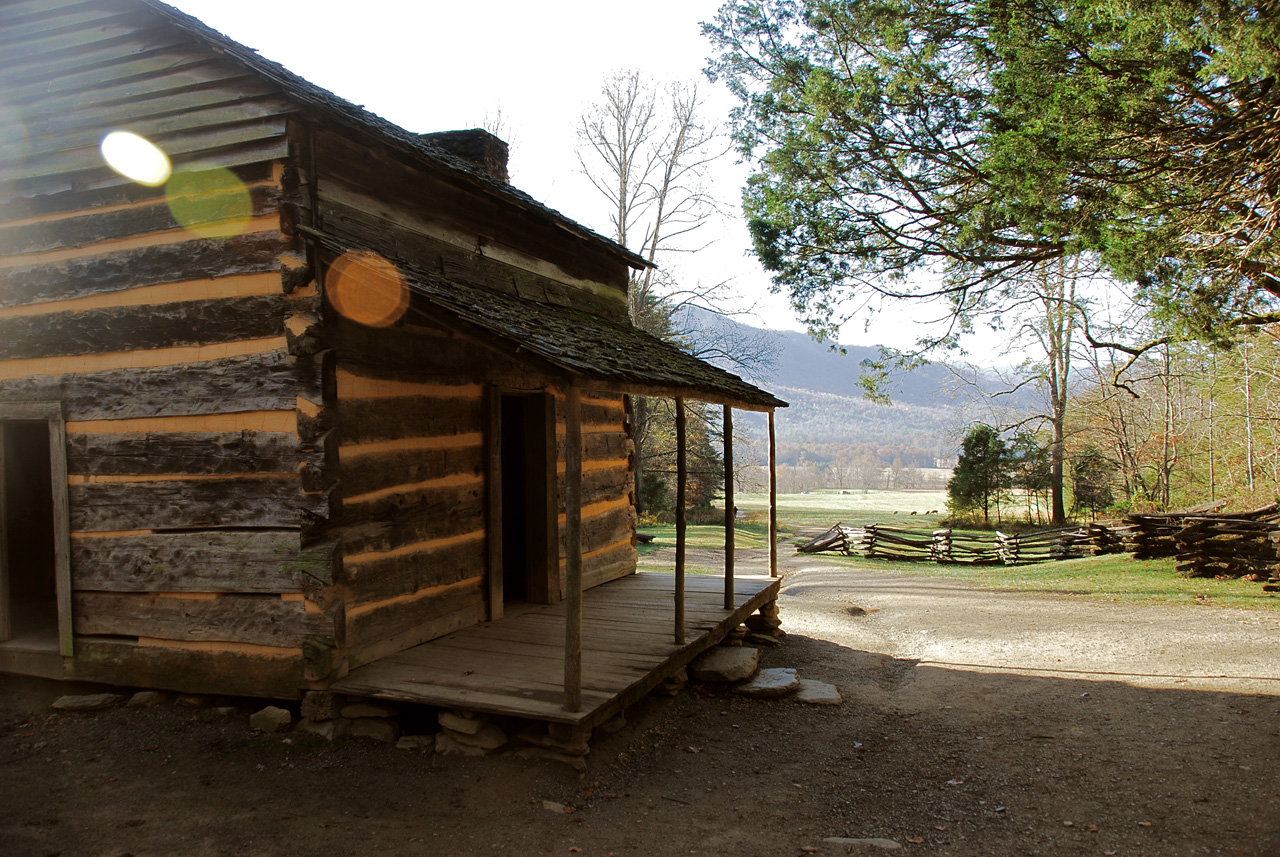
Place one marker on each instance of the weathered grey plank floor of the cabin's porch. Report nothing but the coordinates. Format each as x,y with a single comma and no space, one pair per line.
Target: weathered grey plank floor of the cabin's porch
516,666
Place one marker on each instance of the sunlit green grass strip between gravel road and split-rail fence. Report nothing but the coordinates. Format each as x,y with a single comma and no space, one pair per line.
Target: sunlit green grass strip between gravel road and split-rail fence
1117,578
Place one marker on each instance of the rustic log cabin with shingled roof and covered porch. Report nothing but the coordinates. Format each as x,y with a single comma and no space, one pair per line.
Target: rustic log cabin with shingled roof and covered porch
319,393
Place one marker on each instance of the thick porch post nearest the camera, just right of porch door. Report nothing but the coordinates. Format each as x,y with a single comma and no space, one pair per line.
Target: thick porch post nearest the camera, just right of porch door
573,548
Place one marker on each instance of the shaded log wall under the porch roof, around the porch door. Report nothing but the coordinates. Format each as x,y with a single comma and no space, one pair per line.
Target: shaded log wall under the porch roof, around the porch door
414,526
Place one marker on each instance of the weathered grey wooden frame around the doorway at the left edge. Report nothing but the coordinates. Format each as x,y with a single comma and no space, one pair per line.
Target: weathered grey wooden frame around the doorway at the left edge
52,415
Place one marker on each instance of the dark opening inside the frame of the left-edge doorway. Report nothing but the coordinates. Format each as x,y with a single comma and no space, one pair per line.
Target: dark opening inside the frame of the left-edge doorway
29,544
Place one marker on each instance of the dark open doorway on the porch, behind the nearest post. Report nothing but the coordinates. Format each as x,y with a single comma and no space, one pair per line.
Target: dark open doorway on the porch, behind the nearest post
529,557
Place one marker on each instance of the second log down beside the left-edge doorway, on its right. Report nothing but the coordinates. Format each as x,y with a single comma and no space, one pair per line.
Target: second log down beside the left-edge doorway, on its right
194,505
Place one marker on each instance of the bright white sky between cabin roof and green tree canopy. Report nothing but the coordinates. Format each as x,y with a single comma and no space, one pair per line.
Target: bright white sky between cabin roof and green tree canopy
431,66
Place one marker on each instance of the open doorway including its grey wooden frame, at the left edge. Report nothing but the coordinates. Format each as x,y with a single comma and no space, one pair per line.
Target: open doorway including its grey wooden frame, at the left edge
35,611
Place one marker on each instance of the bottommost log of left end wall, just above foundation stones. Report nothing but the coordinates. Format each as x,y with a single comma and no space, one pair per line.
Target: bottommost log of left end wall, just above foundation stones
194,672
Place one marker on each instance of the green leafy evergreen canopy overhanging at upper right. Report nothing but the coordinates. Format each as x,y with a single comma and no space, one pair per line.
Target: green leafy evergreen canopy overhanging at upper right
972,141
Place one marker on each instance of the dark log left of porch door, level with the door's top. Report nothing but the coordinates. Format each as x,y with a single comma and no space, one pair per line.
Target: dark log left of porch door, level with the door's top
371,420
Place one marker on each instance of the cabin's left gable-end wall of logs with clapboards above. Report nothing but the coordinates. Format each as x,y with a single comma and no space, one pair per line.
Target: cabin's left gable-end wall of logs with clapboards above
196,484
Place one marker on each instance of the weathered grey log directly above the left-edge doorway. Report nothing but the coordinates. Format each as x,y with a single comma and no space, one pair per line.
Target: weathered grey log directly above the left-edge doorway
268,382
